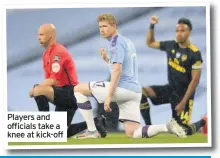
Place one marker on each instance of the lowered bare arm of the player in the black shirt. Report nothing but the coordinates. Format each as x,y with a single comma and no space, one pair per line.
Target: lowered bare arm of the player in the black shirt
191,88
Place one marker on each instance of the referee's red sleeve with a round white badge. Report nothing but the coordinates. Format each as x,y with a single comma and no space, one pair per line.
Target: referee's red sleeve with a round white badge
56,67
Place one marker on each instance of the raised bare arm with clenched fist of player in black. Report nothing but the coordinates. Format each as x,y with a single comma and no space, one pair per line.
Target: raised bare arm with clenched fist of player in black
150,35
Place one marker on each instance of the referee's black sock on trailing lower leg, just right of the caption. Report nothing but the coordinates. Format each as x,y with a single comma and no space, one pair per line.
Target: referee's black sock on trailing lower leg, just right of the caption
76,128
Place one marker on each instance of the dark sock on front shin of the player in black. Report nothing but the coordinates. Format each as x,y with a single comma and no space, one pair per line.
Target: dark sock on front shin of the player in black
145,110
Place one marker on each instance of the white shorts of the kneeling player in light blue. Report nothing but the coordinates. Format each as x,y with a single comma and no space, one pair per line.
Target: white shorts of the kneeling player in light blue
128,101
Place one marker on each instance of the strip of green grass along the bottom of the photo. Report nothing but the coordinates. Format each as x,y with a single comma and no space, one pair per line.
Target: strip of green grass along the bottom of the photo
120,138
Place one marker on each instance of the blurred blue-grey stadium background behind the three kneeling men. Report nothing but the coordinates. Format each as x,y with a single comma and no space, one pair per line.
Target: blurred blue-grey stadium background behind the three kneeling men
77,29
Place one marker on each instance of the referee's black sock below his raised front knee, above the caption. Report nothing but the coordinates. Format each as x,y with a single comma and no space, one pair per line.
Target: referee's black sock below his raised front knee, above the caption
42,103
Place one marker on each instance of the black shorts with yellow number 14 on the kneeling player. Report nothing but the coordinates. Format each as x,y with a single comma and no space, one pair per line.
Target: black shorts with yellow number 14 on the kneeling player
167,94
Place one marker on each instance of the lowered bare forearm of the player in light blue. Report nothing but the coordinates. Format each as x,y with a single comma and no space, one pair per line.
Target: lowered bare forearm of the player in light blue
115,77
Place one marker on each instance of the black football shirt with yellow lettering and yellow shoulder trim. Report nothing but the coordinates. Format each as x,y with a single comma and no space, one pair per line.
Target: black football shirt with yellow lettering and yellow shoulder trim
181,62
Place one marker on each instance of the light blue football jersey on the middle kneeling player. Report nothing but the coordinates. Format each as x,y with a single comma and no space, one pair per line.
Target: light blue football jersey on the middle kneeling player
122,50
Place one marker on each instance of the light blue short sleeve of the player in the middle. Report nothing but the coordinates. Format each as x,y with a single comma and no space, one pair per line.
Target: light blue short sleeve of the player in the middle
118,54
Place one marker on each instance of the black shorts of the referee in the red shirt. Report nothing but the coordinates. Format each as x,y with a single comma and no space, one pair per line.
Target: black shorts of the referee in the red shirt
64,98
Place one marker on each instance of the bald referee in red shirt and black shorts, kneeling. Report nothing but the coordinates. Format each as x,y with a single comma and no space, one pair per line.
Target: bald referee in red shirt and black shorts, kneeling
60,79
